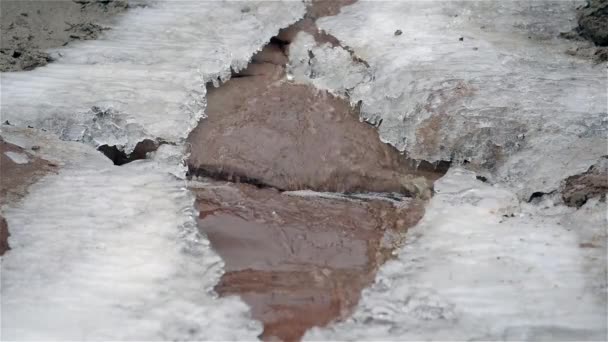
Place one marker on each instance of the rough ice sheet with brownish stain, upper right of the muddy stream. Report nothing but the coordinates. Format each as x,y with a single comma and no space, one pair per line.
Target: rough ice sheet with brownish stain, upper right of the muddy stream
506,98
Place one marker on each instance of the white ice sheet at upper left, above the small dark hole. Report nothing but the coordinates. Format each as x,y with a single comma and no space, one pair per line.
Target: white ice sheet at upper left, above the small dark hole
144,78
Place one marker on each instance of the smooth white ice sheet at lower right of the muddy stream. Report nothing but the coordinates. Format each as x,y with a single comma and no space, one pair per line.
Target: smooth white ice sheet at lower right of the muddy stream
482,266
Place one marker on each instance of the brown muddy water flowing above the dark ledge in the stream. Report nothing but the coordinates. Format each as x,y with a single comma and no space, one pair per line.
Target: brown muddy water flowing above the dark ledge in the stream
295,137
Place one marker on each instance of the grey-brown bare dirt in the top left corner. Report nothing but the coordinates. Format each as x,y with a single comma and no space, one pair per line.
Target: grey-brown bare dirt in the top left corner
30,27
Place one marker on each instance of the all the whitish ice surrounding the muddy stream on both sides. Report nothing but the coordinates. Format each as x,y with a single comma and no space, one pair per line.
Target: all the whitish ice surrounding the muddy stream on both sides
106,252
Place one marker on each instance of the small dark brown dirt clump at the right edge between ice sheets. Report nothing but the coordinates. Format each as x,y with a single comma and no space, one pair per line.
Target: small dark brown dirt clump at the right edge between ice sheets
577,189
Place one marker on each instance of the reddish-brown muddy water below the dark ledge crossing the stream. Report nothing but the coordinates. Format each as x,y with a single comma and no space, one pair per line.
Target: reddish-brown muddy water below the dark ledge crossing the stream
299,261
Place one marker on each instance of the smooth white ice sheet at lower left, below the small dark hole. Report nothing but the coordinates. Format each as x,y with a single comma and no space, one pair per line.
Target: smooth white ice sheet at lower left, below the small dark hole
101,252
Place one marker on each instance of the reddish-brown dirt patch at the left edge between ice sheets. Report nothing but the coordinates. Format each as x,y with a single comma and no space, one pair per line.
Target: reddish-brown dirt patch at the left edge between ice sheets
15,178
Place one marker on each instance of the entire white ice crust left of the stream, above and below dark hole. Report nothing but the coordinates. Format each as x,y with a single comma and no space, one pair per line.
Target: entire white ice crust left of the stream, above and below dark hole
101,252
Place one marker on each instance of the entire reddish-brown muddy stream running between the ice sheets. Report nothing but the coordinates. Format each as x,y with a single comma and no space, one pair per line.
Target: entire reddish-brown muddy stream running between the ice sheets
298,259
